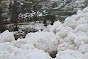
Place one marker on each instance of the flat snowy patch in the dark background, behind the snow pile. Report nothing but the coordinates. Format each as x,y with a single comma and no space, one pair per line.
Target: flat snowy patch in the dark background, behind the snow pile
32,25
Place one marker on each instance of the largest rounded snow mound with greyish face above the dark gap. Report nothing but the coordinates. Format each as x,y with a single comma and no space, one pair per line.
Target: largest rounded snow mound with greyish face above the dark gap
46,41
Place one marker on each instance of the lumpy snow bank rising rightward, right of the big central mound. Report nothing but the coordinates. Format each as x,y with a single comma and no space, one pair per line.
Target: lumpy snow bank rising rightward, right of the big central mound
73,35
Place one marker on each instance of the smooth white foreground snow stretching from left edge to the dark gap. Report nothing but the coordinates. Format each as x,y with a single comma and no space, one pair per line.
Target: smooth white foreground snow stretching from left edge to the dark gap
9,51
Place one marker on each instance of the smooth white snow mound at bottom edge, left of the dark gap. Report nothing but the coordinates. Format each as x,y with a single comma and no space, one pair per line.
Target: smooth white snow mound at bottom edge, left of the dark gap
34,54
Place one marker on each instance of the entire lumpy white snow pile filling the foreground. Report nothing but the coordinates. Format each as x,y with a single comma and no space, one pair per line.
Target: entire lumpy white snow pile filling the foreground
69,40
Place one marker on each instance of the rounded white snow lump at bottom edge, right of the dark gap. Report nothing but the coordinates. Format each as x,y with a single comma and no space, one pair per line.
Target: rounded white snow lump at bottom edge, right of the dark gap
69,54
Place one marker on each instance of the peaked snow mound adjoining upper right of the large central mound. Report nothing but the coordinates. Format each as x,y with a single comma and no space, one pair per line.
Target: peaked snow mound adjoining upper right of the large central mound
59,29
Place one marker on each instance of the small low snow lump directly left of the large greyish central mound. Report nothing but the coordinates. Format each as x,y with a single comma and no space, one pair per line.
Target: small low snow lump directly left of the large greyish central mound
23,44
